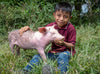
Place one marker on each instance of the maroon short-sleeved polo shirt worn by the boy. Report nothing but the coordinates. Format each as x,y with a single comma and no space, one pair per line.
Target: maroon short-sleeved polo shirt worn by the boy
69,32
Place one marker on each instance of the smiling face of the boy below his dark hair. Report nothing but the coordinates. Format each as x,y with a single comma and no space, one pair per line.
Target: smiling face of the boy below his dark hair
61,18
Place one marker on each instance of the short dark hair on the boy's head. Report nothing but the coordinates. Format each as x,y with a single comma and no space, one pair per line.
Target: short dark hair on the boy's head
63,6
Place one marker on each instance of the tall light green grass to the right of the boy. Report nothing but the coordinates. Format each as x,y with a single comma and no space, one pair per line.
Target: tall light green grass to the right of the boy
87,58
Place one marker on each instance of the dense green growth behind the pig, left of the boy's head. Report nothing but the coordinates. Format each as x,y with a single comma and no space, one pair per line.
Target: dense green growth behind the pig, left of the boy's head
33,13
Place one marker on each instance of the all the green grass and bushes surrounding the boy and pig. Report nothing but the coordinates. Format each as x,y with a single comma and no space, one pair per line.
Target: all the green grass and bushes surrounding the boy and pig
15,14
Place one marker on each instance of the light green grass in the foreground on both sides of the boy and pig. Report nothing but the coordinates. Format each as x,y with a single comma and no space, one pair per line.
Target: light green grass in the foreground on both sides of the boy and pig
86,60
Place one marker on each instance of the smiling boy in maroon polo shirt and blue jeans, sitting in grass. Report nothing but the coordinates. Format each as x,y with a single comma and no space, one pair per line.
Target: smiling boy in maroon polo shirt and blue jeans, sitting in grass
61,50
